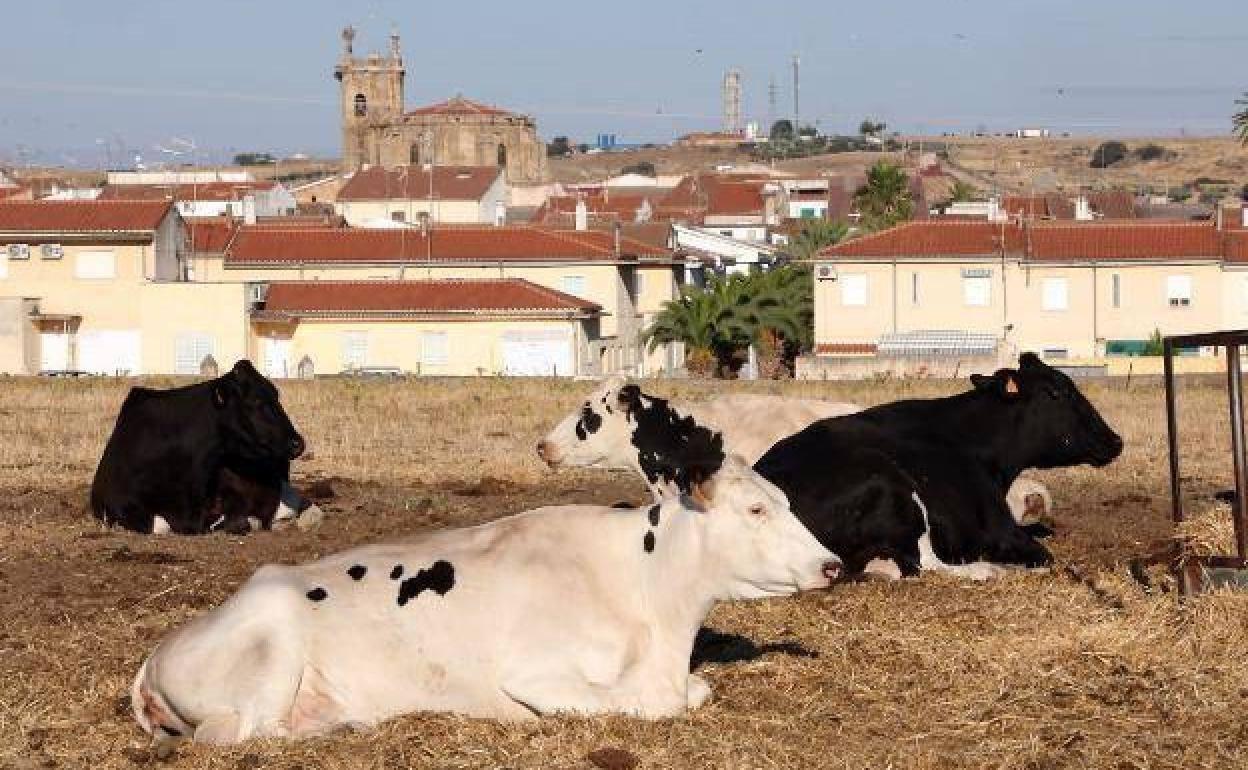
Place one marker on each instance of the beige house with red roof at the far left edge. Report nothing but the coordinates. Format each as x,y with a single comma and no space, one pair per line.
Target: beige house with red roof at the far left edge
100,288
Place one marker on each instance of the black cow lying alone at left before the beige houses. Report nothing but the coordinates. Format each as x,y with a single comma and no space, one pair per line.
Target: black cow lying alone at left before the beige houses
209,456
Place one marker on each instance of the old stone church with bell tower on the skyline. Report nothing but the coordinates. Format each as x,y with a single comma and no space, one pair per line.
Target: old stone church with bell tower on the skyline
376,130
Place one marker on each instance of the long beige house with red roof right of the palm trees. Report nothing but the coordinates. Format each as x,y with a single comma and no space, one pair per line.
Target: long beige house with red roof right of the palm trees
1070,291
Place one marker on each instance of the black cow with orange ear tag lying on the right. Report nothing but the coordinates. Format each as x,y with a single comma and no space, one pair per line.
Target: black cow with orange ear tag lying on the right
924,482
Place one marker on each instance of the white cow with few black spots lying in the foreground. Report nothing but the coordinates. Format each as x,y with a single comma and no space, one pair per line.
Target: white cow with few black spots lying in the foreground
572,608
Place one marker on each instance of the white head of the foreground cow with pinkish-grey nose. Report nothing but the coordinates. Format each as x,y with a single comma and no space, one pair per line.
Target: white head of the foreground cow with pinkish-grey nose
757,546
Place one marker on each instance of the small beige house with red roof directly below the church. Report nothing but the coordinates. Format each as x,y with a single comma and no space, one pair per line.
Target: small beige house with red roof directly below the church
410,195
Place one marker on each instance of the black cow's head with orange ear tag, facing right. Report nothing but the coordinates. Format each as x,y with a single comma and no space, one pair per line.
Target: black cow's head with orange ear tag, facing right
1054,424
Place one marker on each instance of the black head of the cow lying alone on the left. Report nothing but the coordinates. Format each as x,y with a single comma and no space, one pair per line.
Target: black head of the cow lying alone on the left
253,419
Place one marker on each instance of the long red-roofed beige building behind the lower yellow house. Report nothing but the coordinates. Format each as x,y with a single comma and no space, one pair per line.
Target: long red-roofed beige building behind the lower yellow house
628,280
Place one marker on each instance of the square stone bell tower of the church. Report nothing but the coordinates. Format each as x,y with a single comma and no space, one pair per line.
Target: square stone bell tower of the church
373,99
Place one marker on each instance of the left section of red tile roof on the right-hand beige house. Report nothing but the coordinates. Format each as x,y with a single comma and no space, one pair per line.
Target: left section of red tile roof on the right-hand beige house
933,239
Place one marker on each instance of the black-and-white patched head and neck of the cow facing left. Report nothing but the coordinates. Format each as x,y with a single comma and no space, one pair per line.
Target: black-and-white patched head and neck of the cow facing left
621,427
